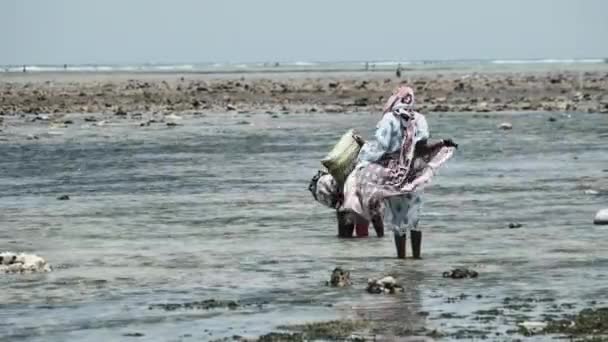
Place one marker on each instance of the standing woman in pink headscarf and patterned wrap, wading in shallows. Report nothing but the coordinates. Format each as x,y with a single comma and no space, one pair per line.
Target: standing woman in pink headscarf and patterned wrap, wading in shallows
392,171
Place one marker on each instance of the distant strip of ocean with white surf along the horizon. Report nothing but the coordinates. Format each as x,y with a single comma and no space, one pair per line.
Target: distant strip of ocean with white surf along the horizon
314,66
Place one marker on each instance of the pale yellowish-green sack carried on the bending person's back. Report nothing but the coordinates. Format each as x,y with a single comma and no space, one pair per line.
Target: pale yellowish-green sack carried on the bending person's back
342,159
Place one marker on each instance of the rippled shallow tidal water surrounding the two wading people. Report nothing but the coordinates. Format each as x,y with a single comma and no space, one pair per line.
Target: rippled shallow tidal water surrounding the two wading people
218,208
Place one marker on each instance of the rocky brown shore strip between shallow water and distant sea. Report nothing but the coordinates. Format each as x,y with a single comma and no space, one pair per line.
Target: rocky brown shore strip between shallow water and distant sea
122,94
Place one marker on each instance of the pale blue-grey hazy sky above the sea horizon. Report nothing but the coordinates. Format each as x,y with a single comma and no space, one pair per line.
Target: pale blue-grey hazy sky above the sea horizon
137,31
